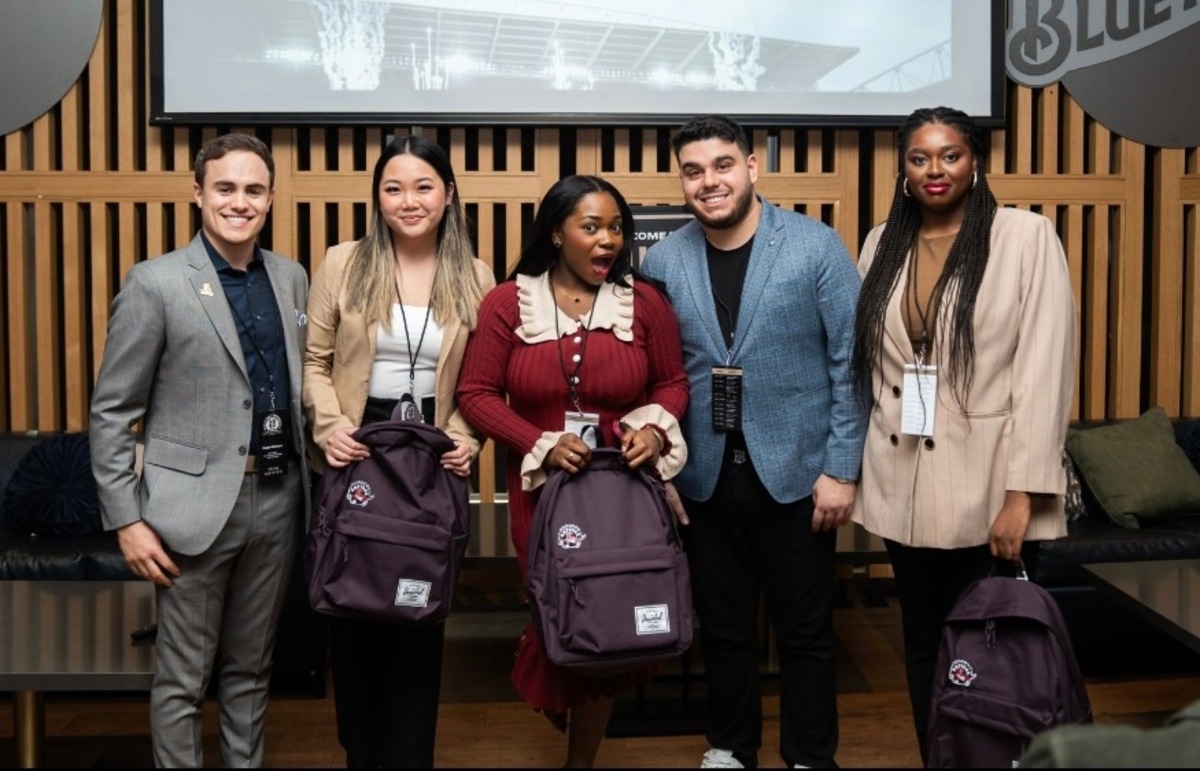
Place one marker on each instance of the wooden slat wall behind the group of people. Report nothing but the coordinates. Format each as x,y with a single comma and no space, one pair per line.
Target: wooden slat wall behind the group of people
91,189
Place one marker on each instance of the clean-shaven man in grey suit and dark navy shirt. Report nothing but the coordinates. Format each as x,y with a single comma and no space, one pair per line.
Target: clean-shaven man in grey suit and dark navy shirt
205,349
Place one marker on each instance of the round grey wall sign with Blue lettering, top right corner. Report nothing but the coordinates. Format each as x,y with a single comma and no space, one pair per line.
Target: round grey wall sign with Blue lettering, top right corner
1130,64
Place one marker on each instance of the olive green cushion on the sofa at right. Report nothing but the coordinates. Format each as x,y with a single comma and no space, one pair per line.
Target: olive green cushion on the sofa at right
1136,470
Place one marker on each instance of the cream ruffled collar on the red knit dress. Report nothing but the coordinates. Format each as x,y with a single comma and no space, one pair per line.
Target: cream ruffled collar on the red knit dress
614,310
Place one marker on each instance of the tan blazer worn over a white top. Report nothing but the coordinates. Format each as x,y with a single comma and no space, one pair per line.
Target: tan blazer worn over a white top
341,350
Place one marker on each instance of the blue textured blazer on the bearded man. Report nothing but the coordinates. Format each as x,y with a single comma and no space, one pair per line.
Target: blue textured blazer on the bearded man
794,342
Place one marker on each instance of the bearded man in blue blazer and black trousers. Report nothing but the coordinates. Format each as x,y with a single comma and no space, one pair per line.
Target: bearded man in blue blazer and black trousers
766,303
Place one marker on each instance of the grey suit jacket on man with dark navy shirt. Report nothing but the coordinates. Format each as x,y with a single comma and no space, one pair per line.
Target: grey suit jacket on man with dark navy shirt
175,362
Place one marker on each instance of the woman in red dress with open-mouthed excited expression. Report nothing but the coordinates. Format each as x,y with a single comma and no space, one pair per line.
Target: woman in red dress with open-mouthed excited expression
575,351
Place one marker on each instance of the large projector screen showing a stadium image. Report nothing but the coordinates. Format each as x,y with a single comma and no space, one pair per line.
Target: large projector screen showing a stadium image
836,63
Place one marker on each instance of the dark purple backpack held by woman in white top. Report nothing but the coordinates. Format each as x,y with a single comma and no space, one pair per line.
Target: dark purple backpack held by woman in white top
389,533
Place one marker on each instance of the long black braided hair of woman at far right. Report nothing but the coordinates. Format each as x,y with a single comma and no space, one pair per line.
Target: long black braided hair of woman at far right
962,277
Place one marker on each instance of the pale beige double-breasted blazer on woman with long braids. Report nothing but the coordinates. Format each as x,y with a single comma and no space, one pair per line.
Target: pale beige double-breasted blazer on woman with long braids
945,492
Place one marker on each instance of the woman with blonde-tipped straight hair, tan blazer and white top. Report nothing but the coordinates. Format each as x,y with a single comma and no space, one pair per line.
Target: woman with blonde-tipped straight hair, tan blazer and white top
388,324
